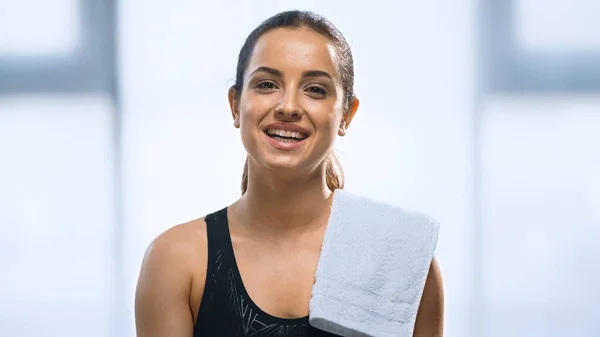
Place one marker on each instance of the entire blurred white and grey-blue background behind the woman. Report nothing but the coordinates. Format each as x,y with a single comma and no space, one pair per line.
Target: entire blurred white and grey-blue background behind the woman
114,126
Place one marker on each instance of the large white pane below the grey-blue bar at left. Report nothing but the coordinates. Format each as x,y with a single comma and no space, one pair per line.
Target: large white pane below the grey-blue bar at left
56,216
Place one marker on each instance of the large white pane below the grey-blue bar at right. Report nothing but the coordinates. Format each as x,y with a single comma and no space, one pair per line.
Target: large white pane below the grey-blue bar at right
541,215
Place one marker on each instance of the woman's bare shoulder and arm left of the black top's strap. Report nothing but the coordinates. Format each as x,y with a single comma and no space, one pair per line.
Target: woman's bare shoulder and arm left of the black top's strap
173,267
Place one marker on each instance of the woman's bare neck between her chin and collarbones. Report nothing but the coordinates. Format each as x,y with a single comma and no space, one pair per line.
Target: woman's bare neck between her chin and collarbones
278,203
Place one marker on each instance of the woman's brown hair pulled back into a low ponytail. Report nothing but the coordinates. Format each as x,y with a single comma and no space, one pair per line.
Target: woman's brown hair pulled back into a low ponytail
297,19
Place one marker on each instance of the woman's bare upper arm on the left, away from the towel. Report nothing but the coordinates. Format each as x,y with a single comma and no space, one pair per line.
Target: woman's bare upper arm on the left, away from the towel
162,306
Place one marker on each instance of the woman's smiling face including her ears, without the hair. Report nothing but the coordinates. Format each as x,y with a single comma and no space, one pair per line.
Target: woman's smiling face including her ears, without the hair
290,108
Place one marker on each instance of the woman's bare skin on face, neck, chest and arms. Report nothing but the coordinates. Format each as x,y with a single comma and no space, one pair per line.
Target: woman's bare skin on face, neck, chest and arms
277,226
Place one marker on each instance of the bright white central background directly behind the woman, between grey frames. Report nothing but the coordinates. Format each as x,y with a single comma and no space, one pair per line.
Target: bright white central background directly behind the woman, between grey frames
414,75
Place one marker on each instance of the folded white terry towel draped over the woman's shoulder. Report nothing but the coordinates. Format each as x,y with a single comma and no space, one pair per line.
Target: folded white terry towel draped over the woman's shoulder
372,269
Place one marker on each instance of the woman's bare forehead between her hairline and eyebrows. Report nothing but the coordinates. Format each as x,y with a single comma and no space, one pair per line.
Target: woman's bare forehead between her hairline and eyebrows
290,50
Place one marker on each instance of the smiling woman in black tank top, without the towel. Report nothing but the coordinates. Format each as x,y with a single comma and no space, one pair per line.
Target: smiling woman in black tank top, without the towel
248,269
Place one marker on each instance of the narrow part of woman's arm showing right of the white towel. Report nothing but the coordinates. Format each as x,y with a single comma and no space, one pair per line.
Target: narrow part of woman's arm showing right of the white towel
430,317
